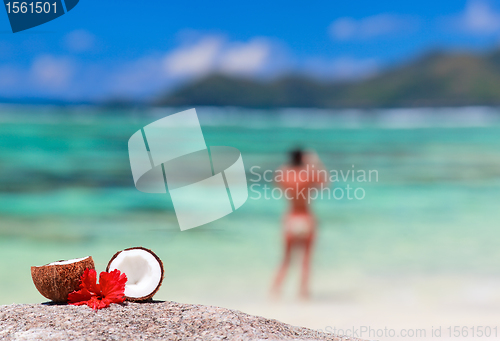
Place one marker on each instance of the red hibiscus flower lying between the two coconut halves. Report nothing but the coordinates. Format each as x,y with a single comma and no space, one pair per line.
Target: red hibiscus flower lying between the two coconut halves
110,289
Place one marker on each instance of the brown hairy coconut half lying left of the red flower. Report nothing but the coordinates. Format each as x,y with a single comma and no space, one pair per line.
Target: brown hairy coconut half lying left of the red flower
56,280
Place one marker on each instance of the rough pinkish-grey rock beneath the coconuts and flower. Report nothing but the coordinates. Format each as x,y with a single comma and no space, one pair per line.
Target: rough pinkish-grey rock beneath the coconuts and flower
144,321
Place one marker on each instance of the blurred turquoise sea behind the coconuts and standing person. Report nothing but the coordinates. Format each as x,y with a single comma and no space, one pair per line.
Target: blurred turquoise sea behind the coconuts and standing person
66,191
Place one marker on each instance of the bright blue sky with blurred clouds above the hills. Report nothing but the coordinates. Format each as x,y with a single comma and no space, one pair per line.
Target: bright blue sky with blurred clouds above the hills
138,49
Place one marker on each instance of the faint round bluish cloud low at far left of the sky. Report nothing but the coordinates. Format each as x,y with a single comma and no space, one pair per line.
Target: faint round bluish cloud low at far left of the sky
52,72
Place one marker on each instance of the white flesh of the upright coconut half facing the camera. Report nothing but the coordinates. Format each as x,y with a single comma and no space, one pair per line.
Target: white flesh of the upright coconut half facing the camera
142,269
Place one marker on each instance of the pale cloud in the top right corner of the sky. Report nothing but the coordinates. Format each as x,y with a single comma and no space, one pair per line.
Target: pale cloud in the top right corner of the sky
479,17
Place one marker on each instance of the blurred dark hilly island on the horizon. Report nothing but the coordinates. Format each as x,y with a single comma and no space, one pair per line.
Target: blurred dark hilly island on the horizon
437,79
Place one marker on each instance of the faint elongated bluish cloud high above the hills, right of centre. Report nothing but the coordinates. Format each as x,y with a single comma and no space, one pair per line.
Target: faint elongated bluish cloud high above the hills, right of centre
370,27
